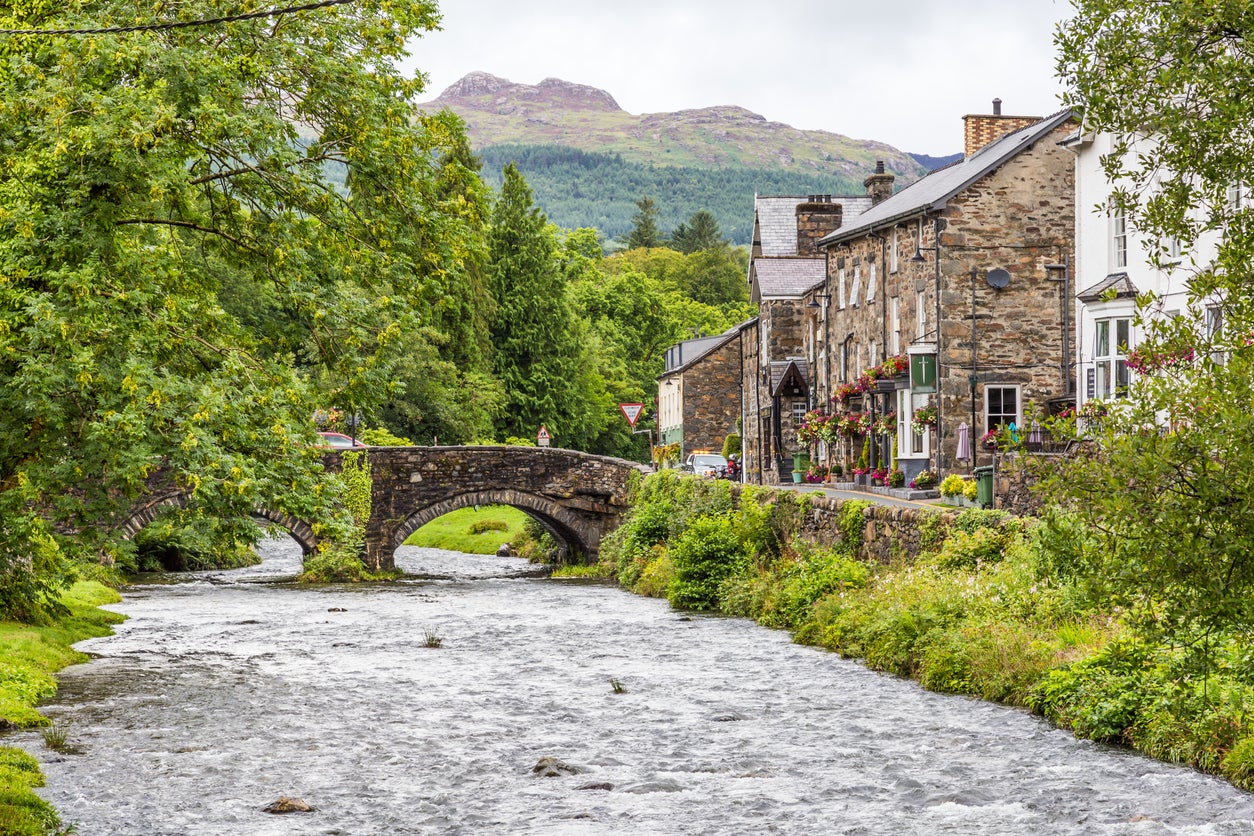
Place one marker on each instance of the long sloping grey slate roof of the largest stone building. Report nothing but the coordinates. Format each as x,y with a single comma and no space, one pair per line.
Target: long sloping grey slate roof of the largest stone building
934,192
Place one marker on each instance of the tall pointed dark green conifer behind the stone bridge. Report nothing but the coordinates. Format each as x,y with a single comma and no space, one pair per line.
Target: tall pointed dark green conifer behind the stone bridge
541,349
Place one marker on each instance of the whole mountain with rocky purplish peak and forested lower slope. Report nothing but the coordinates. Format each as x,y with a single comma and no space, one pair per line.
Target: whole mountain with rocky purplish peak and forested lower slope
589,161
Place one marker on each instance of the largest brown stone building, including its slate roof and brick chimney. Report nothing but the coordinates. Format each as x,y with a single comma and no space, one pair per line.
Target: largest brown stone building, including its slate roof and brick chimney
976,250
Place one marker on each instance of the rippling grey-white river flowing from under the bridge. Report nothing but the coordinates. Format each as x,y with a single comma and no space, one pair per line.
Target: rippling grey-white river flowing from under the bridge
219,696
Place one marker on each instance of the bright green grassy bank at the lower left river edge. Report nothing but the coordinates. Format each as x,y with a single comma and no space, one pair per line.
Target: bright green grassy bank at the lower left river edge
29,659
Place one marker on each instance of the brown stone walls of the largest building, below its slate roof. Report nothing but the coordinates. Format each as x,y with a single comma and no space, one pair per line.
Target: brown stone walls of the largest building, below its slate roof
1020,217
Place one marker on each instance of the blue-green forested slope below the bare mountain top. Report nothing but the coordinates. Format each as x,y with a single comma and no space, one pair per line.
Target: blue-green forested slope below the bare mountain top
580,189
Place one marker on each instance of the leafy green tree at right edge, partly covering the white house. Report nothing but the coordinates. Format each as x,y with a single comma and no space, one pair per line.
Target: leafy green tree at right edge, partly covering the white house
1166,492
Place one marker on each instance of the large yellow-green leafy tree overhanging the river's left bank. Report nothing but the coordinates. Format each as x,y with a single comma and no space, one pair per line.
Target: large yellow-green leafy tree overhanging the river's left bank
180,275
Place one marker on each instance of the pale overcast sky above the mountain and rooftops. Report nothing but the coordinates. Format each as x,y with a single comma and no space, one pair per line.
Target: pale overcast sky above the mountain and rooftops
902,72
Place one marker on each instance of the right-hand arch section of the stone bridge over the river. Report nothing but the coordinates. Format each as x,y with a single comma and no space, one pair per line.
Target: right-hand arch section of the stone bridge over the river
577,497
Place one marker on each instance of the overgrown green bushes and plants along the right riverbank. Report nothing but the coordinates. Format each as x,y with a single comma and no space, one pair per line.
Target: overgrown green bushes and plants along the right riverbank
995,607
